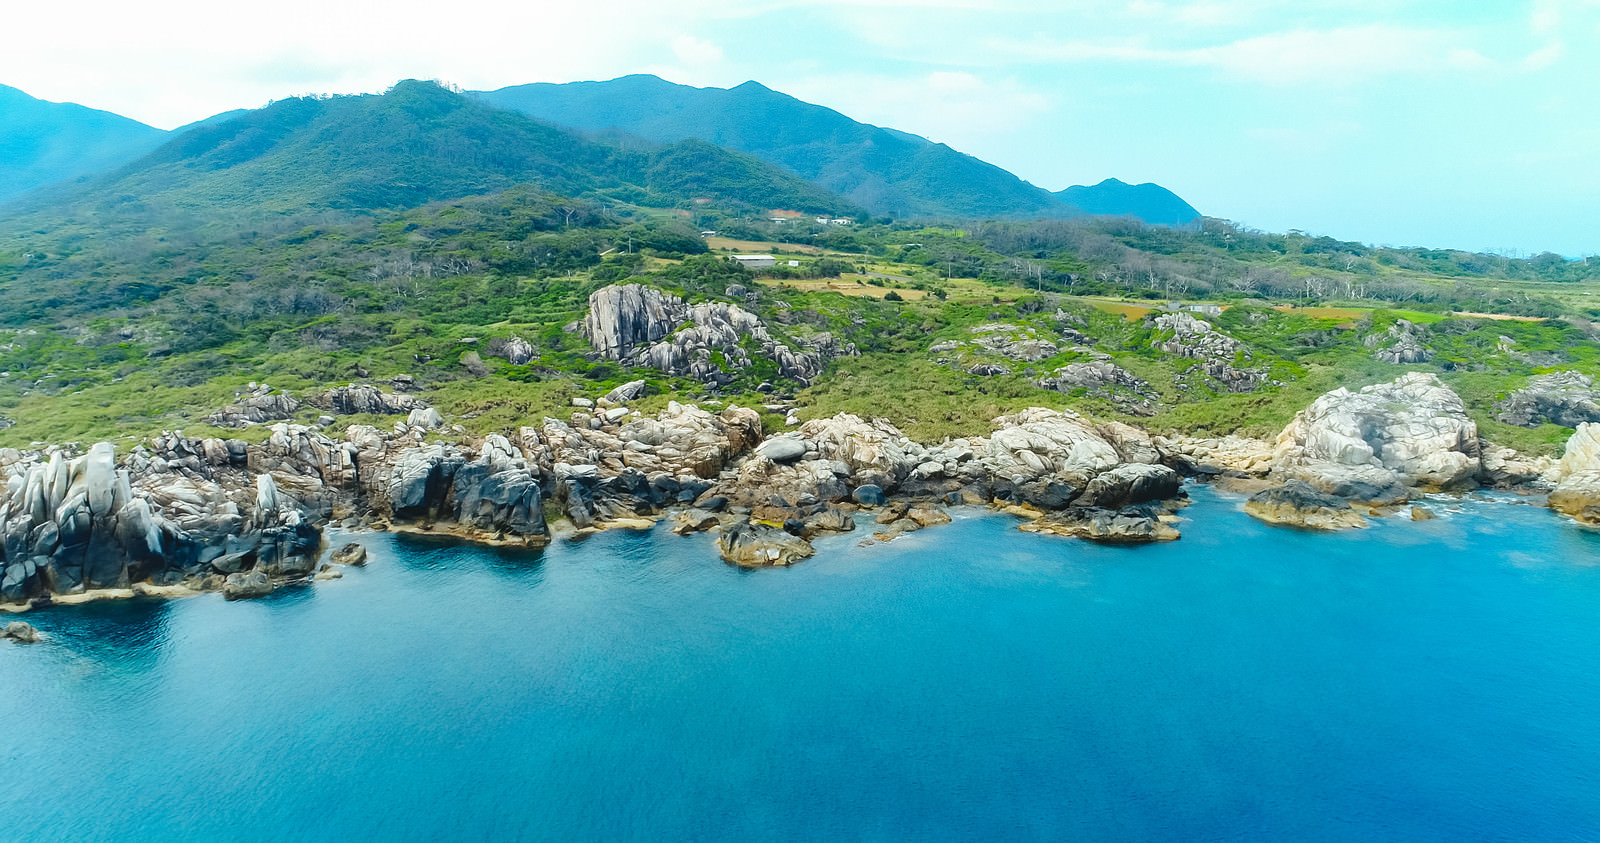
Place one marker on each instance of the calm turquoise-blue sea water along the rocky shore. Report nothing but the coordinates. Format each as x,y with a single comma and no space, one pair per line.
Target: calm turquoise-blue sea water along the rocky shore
1433,681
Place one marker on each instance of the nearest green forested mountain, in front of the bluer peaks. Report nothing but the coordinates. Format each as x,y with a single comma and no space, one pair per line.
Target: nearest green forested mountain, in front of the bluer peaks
420,143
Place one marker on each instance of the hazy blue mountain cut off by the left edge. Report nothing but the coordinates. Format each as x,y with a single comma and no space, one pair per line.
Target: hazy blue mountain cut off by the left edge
44,143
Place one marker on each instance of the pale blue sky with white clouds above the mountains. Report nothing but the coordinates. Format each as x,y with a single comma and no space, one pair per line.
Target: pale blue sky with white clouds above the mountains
1393,122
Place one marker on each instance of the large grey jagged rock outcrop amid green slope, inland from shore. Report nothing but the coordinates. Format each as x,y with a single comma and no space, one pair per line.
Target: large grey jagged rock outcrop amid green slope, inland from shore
647,327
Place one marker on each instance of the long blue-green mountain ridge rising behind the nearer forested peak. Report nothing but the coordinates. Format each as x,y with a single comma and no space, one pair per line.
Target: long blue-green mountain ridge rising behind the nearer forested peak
882,170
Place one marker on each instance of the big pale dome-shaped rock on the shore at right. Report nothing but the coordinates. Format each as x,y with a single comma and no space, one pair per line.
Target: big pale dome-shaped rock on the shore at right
1370,445
